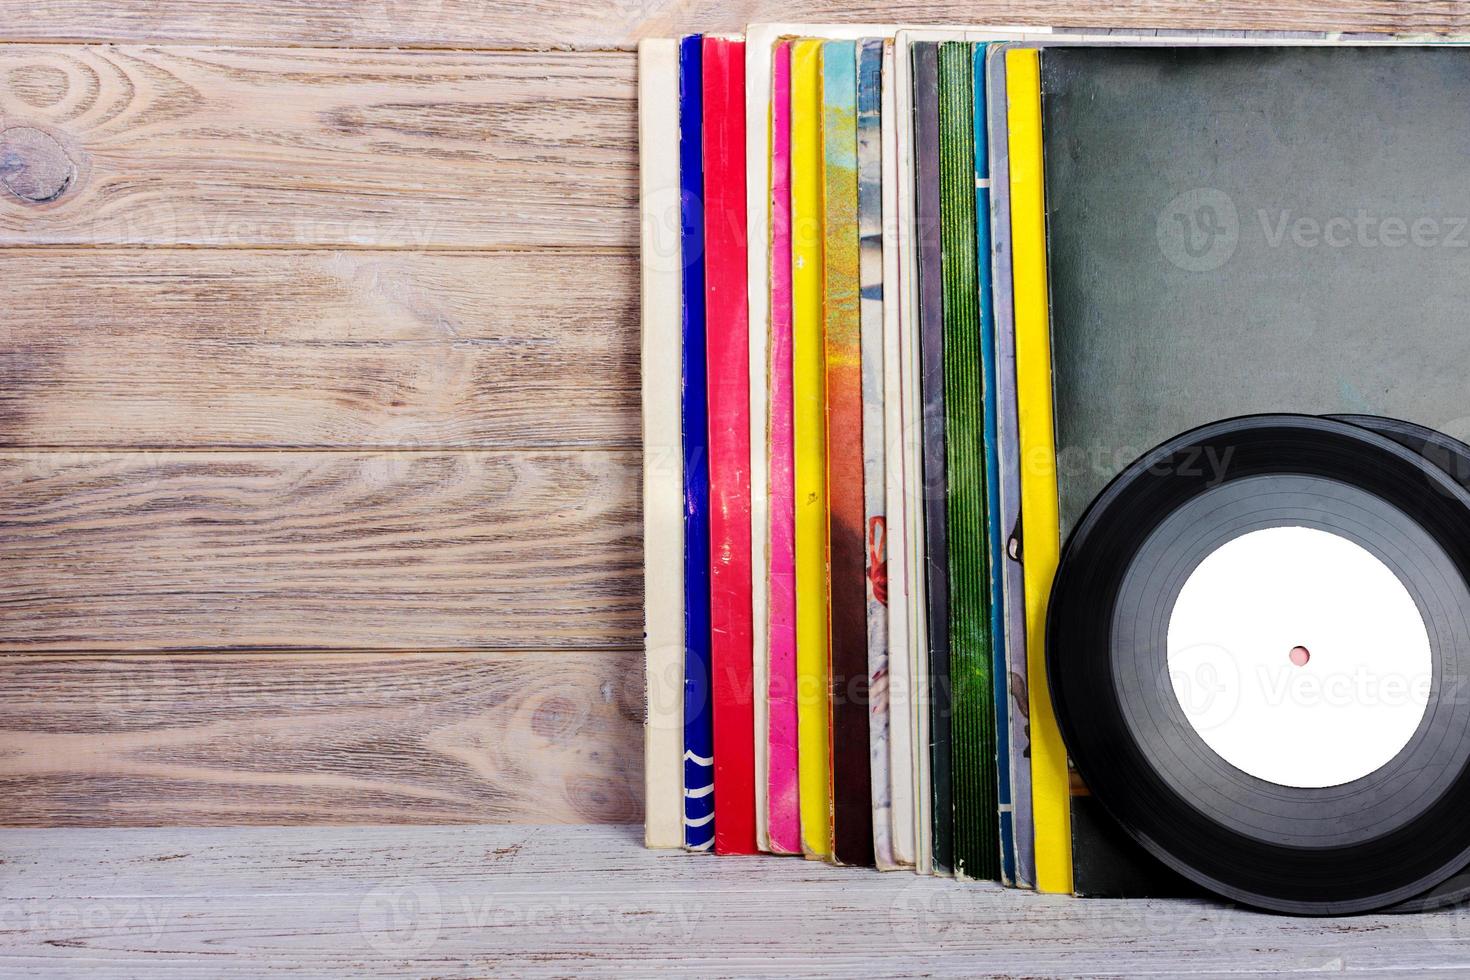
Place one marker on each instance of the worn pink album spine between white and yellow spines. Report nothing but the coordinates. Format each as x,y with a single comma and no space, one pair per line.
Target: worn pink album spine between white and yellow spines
784,812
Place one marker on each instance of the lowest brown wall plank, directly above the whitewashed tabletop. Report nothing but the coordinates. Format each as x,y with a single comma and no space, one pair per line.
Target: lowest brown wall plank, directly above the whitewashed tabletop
321,738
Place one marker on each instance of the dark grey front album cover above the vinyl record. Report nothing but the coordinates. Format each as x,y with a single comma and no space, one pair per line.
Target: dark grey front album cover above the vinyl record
1253,230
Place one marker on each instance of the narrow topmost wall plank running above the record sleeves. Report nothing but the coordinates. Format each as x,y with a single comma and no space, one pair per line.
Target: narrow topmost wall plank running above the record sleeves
549,24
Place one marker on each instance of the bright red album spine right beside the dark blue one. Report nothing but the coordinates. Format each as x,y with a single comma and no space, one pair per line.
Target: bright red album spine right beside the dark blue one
728,353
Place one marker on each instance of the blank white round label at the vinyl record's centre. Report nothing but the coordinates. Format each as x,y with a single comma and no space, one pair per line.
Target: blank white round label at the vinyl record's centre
1300,657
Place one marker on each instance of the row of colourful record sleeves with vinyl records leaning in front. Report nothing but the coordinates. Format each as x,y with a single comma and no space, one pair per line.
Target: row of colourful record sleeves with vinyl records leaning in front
1034,419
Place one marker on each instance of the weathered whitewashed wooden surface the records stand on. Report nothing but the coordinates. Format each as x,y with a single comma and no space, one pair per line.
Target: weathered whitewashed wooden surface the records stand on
578,901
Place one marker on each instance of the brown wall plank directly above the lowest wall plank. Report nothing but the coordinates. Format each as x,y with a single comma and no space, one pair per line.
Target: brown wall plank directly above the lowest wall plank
320,550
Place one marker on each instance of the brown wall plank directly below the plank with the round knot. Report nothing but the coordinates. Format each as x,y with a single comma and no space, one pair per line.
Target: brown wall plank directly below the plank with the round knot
318,349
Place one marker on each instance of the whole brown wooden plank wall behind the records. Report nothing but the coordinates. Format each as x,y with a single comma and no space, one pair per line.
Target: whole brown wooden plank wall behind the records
318,397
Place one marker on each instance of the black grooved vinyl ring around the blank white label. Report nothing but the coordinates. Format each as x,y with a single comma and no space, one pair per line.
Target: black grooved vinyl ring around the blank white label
1371,843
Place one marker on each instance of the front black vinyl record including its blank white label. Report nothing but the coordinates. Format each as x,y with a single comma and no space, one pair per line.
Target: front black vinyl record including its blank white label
1258,647
